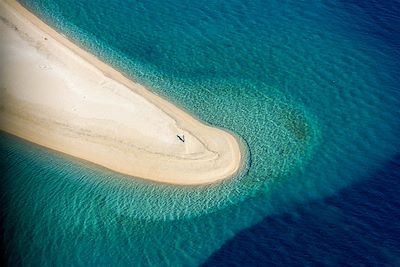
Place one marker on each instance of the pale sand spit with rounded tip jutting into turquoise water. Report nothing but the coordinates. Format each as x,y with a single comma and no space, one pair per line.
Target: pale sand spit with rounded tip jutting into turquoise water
55,94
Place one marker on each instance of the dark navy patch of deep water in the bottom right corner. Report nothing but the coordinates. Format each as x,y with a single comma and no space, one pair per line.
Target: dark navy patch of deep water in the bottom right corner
356,227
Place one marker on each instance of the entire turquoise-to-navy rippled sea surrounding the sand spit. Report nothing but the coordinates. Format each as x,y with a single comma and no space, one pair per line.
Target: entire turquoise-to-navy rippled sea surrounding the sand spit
312,89
